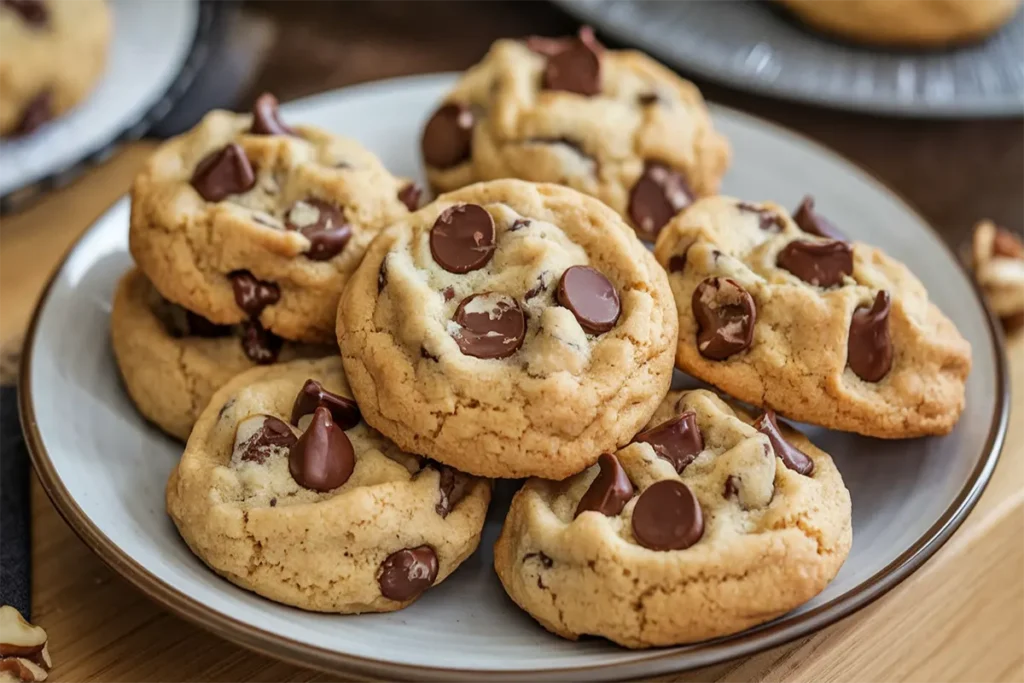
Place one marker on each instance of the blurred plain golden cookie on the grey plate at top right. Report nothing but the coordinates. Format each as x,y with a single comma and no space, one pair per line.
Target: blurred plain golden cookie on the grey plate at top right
907,23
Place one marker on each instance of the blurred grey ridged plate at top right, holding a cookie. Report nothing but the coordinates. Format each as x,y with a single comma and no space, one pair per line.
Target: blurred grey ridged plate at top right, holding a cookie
751,46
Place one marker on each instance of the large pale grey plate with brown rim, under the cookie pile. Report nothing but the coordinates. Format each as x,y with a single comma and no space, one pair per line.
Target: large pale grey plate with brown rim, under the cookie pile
106,469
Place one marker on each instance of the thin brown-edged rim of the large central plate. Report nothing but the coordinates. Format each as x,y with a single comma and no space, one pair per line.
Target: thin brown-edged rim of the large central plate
307,656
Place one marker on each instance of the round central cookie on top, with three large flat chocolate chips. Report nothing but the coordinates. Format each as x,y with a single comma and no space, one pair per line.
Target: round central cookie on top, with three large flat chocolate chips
508,330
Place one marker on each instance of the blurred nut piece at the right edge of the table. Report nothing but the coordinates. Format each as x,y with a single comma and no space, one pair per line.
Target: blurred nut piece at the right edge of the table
998,263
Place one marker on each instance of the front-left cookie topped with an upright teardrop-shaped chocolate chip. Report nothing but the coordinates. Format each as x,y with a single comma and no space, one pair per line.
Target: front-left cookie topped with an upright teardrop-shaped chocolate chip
327,517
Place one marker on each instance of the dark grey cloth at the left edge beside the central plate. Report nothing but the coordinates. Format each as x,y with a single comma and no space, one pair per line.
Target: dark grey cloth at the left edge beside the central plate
15,544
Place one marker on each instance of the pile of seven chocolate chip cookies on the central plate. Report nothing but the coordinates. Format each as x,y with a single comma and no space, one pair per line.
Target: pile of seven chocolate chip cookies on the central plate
518,328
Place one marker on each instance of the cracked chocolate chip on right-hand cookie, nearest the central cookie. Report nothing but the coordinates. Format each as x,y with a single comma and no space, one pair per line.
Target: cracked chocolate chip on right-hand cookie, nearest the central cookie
726,315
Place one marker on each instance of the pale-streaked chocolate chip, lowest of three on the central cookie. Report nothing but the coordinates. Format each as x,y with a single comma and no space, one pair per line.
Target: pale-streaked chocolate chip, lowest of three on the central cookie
491,326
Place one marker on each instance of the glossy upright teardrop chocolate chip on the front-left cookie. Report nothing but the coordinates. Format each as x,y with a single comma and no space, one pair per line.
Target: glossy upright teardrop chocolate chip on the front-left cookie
323,458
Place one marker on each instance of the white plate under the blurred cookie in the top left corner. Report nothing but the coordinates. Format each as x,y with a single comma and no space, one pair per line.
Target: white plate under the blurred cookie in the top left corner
152,41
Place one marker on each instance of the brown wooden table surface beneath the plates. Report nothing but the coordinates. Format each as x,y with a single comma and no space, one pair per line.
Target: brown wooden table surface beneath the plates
956,620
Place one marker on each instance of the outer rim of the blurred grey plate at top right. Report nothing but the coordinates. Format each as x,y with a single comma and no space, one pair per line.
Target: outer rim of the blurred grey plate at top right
916,109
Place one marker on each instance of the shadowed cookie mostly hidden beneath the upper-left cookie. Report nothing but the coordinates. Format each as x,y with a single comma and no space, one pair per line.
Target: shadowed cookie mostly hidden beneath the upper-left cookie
173,361
